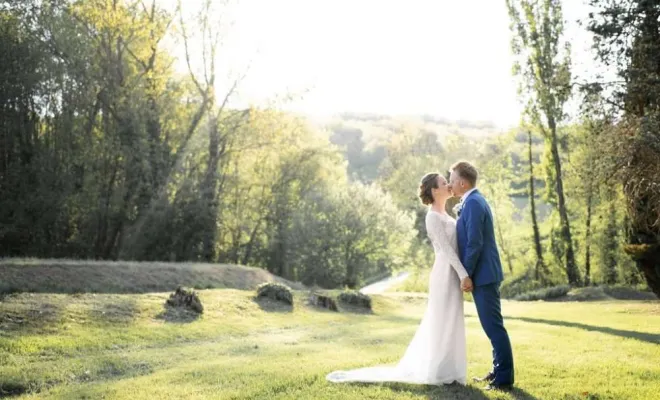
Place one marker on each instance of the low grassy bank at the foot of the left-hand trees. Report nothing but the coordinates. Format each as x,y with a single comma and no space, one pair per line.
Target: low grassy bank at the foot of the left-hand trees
66,276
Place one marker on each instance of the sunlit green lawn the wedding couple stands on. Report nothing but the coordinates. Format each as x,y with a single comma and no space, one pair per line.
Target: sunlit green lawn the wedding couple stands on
126,347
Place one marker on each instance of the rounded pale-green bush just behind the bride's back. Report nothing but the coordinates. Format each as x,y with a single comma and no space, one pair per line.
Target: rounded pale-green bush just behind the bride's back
344,235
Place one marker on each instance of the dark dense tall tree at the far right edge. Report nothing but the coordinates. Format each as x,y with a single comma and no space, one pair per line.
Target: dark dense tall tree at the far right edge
627,37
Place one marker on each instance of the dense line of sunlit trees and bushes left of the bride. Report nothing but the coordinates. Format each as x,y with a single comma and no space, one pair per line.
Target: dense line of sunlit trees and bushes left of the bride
107,153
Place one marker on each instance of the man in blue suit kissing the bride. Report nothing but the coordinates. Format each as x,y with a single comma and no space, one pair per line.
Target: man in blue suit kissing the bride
478,253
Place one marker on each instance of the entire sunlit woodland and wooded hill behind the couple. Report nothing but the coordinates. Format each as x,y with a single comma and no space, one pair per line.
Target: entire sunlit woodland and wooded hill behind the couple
107,153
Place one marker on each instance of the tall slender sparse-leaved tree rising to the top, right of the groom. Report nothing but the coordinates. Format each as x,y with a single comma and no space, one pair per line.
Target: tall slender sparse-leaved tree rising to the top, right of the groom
544,67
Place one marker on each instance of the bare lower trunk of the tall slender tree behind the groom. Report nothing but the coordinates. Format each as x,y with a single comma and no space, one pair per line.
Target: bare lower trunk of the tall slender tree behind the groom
572,272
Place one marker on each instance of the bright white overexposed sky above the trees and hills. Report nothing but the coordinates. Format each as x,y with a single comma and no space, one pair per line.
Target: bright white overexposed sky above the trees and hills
446,58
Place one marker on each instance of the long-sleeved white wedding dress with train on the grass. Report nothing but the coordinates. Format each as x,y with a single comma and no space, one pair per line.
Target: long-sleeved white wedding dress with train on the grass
437,354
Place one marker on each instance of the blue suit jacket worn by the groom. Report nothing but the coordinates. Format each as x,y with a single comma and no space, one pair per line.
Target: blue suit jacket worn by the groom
476,241
